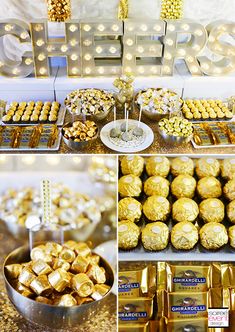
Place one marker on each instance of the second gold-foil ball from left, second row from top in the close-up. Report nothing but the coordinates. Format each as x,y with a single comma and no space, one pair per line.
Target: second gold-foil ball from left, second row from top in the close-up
157,185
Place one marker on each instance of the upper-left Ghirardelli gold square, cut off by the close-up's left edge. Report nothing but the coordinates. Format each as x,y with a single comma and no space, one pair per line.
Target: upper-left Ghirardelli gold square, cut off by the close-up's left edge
137,283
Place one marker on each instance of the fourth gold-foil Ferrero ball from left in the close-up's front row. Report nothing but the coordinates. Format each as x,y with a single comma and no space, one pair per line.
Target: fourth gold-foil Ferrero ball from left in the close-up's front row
213,235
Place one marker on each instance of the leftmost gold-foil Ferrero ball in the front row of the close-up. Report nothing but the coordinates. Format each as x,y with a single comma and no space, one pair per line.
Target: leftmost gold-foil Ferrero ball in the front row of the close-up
128,235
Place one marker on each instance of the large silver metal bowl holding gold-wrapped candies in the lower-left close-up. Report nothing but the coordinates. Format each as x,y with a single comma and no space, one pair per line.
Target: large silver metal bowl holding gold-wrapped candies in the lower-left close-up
48,315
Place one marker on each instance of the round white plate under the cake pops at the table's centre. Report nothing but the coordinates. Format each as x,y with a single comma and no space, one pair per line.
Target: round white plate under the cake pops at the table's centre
104,136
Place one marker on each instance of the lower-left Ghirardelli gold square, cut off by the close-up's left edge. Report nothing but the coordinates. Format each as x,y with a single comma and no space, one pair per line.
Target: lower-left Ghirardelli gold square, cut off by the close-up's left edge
135,310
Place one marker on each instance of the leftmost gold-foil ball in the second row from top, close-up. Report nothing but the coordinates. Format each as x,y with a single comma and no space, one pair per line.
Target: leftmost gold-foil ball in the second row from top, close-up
130,186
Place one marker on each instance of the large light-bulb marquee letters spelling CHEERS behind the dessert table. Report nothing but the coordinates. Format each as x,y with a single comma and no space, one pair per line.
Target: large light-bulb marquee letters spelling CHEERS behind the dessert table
110,48
